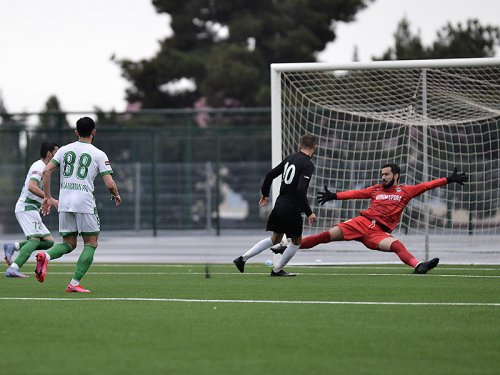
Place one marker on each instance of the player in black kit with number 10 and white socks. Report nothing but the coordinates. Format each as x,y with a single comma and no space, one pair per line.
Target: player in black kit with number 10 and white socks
286,217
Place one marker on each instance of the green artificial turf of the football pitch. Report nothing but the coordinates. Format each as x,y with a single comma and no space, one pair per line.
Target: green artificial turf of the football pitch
173,319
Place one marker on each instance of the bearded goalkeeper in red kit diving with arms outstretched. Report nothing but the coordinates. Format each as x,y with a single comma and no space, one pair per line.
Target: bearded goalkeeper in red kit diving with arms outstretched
373,226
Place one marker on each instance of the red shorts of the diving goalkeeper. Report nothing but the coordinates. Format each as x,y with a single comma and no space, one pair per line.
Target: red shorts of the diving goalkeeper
363,230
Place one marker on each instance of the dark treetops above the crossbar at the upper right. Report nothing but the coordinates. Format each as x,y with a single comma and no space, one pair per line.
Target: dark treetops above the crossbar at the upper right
471,40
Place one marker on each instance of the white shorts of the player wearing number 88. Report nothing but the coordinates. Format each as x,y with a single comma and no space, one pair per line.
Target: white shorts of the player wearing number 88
74,223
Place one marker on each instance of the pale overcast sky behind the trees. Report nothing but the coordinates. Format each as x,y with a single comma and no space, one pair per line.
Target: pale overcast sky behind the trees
64,47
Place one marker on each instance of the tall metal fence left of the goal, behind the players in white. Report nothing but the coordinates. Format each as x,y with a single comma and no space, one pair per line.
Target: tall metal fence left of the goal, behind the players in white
172,173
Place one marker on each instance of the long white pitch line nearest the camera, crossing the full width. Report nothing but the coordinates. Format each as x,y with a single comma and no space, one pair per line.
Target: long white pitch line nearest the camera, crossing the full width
257,301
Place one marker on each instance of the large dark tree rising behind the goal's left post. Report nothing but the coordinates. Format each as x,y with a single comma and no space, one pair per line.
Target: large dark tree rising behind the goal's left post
225,47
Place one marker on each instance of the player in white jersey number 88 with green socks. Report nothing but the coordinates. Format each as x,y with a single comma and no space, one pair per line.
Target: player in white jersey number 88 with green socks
79,163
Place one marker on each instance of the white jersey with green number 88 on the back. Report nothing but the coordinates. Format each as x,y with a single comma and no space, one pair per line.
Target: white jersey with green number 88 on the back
79,163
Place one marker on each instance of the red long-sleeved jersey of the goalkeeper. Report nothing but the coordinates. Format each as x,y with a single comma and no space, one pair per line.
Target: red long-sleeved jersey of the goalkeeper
387,205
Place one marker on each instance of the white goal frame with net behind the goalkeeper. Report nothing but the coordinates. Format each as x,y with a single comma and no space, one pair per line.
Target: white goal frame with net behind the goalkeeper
428,116
